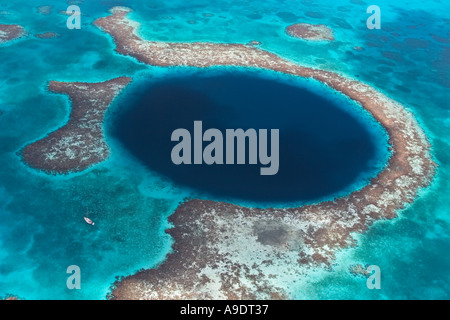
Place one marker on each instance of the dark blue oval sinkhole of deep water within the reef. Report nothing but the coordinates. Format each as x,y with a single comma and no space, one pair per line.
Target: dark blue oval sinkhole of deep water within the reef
323,148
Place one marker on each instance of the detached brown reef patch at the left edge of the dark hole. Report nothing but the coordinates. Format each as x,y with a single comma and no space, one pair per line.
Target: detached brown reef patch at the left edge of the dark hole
80,143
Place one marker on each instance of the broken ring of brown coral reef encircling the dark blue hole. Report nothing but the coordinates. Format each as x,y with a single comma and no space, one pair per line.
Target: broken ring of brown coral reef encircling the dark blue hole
221,250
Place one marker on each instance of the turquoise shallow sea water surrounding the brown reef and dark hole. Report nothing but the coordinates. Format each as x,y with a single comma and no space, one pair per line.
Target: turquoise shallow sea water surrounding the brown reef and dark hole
41,226
